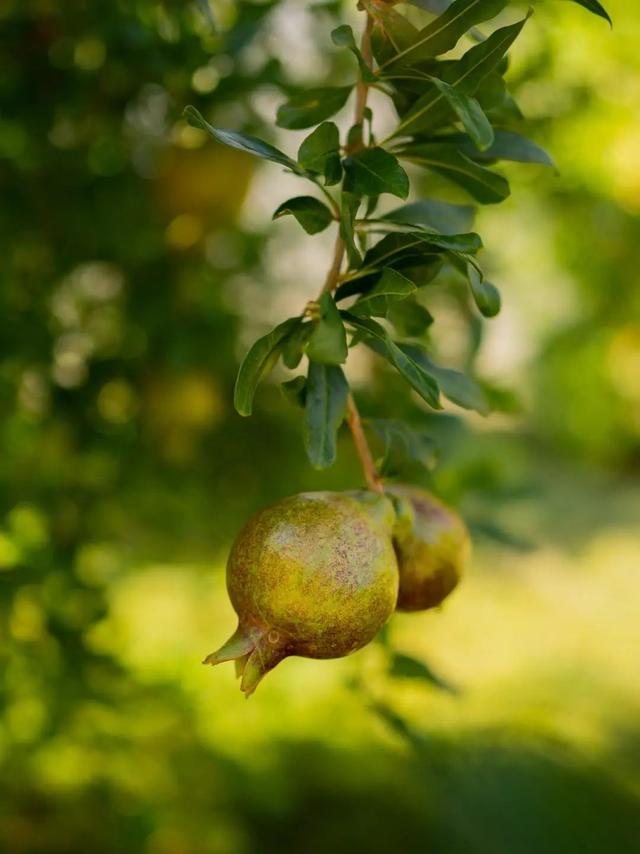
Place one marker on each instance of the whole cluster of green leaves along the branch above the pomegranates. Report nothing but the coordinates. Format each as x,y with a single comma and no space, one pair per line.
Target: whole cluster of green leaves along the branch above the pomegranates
456,119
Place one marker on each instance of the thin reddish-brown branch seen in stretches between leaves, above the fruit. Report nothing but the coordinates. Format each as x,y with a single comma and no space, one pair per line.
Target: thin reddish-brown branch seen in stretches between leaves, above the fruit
371,476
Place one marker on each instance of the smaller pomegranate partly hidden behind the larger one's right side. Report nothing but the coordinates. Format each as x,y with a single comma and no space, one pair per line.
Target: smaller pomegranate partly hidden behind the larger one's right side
432,545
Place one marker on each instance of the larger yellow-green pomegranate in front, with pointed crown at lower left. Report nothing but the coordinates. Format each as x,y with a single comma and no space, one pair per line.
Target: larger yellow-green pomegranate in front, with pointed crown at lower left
313,575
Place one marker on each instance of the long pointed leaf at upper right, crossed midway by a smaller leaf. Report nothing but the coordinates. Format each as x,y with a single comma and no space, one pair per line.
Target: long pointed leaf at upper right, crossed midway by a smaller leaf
466,75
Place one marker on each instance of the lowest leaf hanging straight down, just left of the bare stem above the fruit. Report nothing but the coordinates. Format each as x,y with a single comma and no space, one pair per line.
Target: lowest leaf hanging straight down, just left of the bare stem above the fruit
325,407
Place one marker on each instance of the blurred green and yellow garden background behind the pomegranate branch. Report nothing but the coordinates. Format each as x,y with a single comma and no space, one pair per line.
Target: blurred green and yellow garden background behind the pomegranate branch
138,261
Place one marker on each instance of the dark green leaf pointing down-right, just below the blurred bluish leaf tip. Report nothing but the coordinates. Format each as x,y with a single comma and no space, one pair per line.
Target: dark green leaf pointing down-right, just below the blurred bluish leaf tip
482,184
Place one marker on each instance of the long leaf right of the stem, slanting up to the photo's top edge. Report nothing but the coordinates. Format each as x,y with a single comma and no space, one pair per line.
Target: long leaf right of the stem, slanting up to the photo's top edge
441,35
